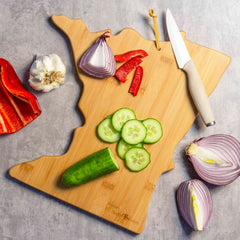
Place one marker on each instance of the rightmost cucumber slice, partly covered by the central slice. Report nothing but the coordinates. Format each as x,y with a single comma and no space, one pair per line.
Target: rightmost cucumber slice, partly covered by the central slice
154,130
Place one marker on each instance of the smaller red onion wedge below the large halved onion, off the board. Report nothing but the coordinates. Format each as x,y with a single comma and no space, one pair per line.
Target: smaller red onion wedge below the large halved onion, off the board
194,203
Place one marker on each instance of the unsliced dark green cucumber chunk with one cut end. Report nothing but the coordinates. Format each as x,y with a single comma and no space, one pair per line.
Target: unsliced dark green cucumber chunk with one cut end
96,165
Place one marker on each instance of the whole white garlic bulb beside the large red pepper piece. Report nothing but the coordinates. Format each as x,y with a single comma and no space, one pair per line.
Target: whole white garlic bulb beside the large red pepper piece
47,73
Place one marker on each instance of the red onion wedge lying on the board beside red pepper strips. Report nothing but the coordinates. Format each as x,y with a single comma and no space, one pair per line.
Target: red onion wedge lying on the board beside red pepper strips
98,61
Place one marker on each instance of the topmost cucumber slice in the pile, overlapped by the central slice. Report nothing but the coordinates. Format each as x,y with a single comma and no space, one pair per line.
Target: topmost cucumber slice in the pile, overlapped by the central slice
121,116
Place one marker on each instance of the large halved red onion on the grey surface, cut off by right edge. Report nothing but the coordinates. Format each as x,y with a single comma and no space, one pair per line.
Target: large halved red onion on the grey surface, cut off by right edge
216,158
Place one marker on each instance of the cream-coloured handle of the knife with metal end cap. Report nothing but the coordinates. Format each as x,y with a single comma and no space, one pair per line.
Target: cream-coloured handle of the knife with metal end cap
198,93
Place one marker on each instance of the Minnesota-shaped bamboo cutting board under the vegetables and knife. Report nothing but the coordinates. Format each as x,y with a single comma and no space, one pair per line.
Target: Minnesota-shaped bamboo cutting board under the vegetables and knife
123,196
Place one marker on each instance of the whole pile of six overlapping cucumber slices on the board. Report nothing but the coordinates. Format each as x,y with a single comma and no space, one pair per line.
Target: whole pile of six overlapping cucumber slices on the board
130,133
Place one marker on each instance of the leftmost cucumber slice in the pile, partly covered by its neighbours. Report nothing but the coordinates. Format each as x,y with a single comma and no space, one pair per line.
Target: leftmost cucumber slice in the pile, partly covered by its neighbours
106,131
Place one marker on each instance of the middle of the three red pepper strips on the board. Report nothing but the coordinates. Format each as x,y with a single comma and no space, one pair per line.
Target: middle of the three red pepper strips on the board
126,68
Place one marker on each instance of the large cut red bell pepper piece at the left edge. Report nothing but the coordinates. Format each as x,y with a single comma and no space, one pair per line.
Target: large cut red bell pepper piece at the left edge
18,107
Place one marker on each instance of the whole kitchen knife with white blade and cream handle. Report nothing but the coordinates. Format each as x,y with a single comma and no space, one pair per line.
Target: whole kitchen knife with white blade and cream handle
185,62
